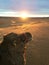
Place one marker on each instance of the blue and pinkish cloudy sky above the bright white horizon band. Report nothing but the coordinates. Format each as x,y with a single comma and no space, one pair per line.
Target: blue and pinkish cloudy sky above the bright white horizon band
32,6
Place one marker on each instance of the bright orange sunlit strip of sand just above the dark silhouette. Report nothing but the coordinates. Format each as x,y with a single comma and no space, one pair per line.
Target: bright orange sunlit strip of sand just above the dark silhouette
22,28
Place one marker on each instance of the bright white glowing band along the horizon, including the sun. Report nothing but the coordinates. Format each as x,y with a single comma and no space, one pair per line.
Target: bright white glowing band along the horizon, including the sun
23,15
